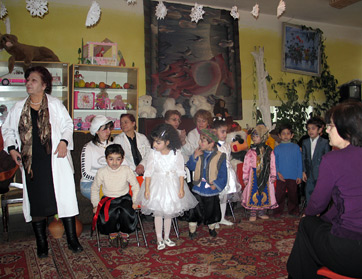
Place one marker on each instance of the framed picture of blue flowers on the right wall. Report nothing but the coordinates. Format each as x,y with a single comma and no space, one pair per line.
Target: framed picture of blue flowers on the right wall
301,50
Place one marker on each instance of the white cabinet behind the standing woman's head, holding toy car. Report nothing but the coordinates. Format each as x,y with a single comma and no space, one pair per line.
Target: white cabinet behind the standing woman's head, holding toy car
12,86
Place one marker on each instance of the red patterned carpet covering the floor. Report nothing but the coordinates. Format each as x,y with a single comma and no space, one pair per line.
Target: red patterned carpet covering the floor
245,250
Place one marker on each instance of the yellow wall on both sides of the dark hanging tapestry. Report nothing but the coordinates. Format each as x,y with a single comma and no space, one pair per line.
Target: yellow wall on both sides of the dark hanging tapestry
63,28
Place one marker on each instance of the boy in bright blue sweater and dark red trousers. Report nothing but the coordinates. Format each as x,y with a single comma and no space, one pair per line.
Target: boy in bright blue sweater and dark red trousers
288,161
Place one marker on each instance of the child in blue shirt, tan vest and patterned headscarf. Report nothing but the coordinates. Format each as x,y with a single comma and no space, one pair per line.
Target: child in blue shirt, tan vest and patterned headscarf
210,178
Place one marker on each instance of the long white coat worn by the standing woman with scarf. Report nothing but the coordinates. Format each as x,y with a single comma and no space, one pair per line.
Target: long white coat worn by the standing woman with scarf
62,168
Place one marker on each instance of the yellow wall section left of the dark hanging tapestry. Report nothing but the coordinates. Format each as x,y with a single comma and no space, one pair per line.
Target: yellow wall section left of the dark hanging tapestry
63,28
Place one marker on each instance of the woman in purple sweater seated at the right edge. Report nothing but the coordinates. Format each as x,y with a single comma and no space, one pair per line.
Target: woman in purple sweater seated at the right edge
334,240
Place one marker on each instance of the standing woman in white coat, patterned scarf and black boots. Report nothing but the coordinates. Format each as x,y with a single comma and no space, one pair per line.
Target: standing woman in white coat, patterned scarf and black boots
38,134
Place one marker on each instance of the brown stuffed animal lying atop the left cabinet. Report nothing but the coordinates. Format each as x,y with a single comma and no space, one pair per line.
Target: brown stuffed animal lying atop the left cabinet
26,53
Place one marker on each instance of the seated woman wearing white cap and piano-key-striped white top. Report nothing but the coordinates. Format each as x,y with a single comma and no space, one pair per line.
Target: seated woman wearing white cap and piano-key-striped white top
92,157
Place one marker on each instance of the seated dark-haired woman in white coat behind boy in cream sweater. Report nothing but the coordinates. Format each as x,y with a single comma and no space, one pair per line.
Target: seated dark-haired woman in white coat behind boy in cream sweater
135,145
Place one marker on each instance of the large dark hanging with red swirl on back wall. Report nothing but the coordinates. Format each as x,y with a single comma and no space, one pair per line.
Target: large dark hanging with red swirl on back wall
186,59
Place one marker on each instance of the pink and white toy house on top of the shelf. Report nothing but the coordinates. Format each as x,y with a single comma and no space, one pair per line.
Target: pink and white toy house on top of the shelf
95,53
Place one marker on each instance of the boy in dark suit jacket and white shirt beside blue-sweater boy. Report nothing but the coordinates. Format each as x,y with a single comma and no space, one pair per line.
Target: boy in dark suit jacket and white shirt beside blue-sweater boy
313,148
